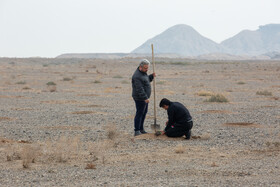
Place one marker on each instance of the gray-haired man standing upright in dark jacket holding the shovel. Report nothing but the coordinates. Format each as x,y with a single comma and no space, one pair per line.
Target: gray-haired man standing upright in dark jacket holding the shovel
141,92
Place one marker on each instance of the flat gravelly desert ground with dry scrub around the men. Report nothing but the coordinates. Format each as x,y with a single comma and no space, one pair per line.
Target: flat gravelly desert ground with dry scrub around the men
69,122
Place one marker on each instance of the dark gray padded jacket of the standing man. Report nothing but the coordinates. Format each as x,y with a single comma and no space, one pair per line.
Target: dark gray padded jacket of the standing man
141,87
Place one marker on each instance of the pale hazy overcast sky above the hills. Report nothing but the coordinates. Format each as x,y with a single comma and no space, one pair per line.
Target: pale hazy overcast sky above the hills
48,28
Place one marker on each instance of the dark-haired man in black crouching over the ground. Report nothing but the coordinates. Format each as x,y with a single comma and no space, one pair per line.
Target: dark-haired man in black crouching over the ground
179,119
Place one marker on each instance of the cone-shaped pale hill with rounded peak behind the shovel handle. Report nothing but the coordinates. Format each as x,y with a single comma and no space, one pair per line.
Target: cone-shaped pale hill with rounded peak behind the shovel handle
183,40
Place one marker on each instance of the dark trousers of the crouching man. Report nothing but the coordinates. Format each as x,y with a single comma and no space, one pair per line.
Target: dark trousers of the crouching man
178,130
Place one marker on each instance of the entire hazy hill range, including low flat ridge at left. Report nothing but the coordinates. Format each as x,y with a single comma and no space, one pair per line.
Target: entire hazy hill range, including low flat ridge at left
181,41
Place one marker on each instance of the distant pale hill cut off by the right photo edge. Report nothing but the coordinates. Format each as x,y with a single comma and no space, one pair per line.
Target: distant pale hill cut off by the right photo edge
265,39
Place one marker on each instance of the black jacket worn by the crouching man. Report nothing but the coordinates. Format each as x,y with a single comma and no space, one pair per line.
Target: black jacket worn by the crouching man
178,115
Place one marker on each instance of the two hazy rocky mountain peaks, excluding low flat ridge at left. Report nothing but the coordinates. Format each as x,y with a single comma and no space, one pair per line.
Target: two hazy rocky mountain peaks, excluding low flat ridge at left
184,40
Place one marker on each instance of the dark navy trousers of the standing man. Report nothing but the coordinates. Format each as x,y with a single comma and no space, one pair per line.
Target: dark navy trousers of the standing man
141,111
